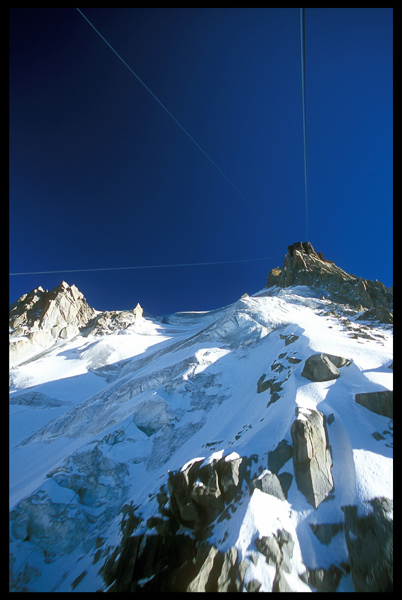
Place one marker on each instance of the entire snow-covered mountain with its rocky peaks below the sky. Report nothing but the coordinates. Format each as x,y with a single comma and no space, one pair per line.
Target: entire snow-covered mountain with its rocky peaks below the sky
248,448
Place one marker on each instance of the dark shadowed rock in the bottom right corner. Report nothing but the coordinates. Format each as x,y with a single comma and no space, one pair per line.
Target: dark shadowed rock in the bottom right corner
370,546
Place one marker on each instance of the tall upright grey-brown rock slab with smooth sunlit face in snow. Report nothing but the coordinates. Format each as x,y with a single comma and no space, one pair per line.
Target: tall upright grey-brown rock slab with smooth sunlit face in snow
312,456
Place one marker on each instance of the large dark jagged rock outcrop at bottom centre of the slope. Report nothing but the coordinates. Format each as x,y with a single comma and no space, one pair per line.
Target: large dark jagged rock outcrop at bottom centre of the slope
169,561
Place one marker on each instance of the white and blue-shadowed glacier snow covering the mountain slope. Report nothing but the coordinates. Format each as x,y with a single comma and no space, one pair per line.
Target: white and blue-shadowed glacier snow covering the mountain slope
97,422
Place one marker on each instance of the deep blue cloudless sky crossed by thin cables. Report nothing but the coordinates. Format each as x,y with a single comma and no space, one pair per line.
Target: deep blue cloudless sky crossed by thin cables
101,176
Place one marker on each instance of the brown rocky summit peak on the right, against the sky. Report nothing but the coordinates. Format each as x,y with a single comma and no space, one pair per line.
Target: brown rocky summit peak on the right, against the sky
304,266
